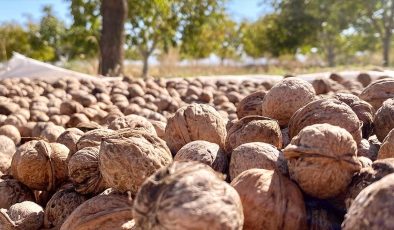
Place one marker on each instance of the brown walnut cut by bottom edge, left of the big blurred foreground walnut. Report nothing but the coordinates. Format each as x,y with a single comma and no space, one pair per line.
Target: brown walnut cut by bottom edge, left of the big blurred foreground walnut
106,211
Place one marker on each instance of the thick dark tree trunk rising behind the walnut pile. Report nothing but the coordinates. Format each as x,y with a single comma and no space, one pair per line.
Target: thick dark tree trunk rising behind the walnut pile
114,13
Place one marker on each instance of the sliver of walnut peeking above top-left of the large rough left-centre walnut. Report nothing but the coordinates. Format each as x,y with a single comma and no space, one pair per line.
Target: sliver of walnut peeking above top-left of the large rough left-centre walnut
93,138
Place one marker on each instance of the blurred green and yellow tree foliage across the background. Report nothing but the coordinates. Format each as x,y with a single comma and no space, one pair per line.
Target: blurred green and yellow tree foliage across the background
334,31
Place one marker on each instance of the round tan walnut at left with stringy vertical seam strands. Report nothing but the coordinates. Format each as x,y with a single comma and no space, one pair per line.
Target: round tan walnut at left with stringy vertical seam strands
40,165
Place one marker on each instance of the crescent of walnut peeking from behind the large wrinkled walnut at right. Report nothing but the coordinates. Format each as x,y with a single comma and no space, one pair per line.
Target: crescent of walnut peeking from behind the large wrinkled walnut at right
364,111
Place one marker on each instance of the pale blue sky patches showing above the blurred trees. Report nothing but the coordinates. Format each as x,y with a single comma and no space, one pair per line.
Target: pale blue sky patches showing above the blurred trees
20,10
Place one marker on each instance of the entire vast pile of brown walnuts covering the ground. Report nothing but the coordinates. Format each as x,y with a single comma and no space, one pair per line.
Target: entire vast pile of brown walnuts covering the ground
197,154
